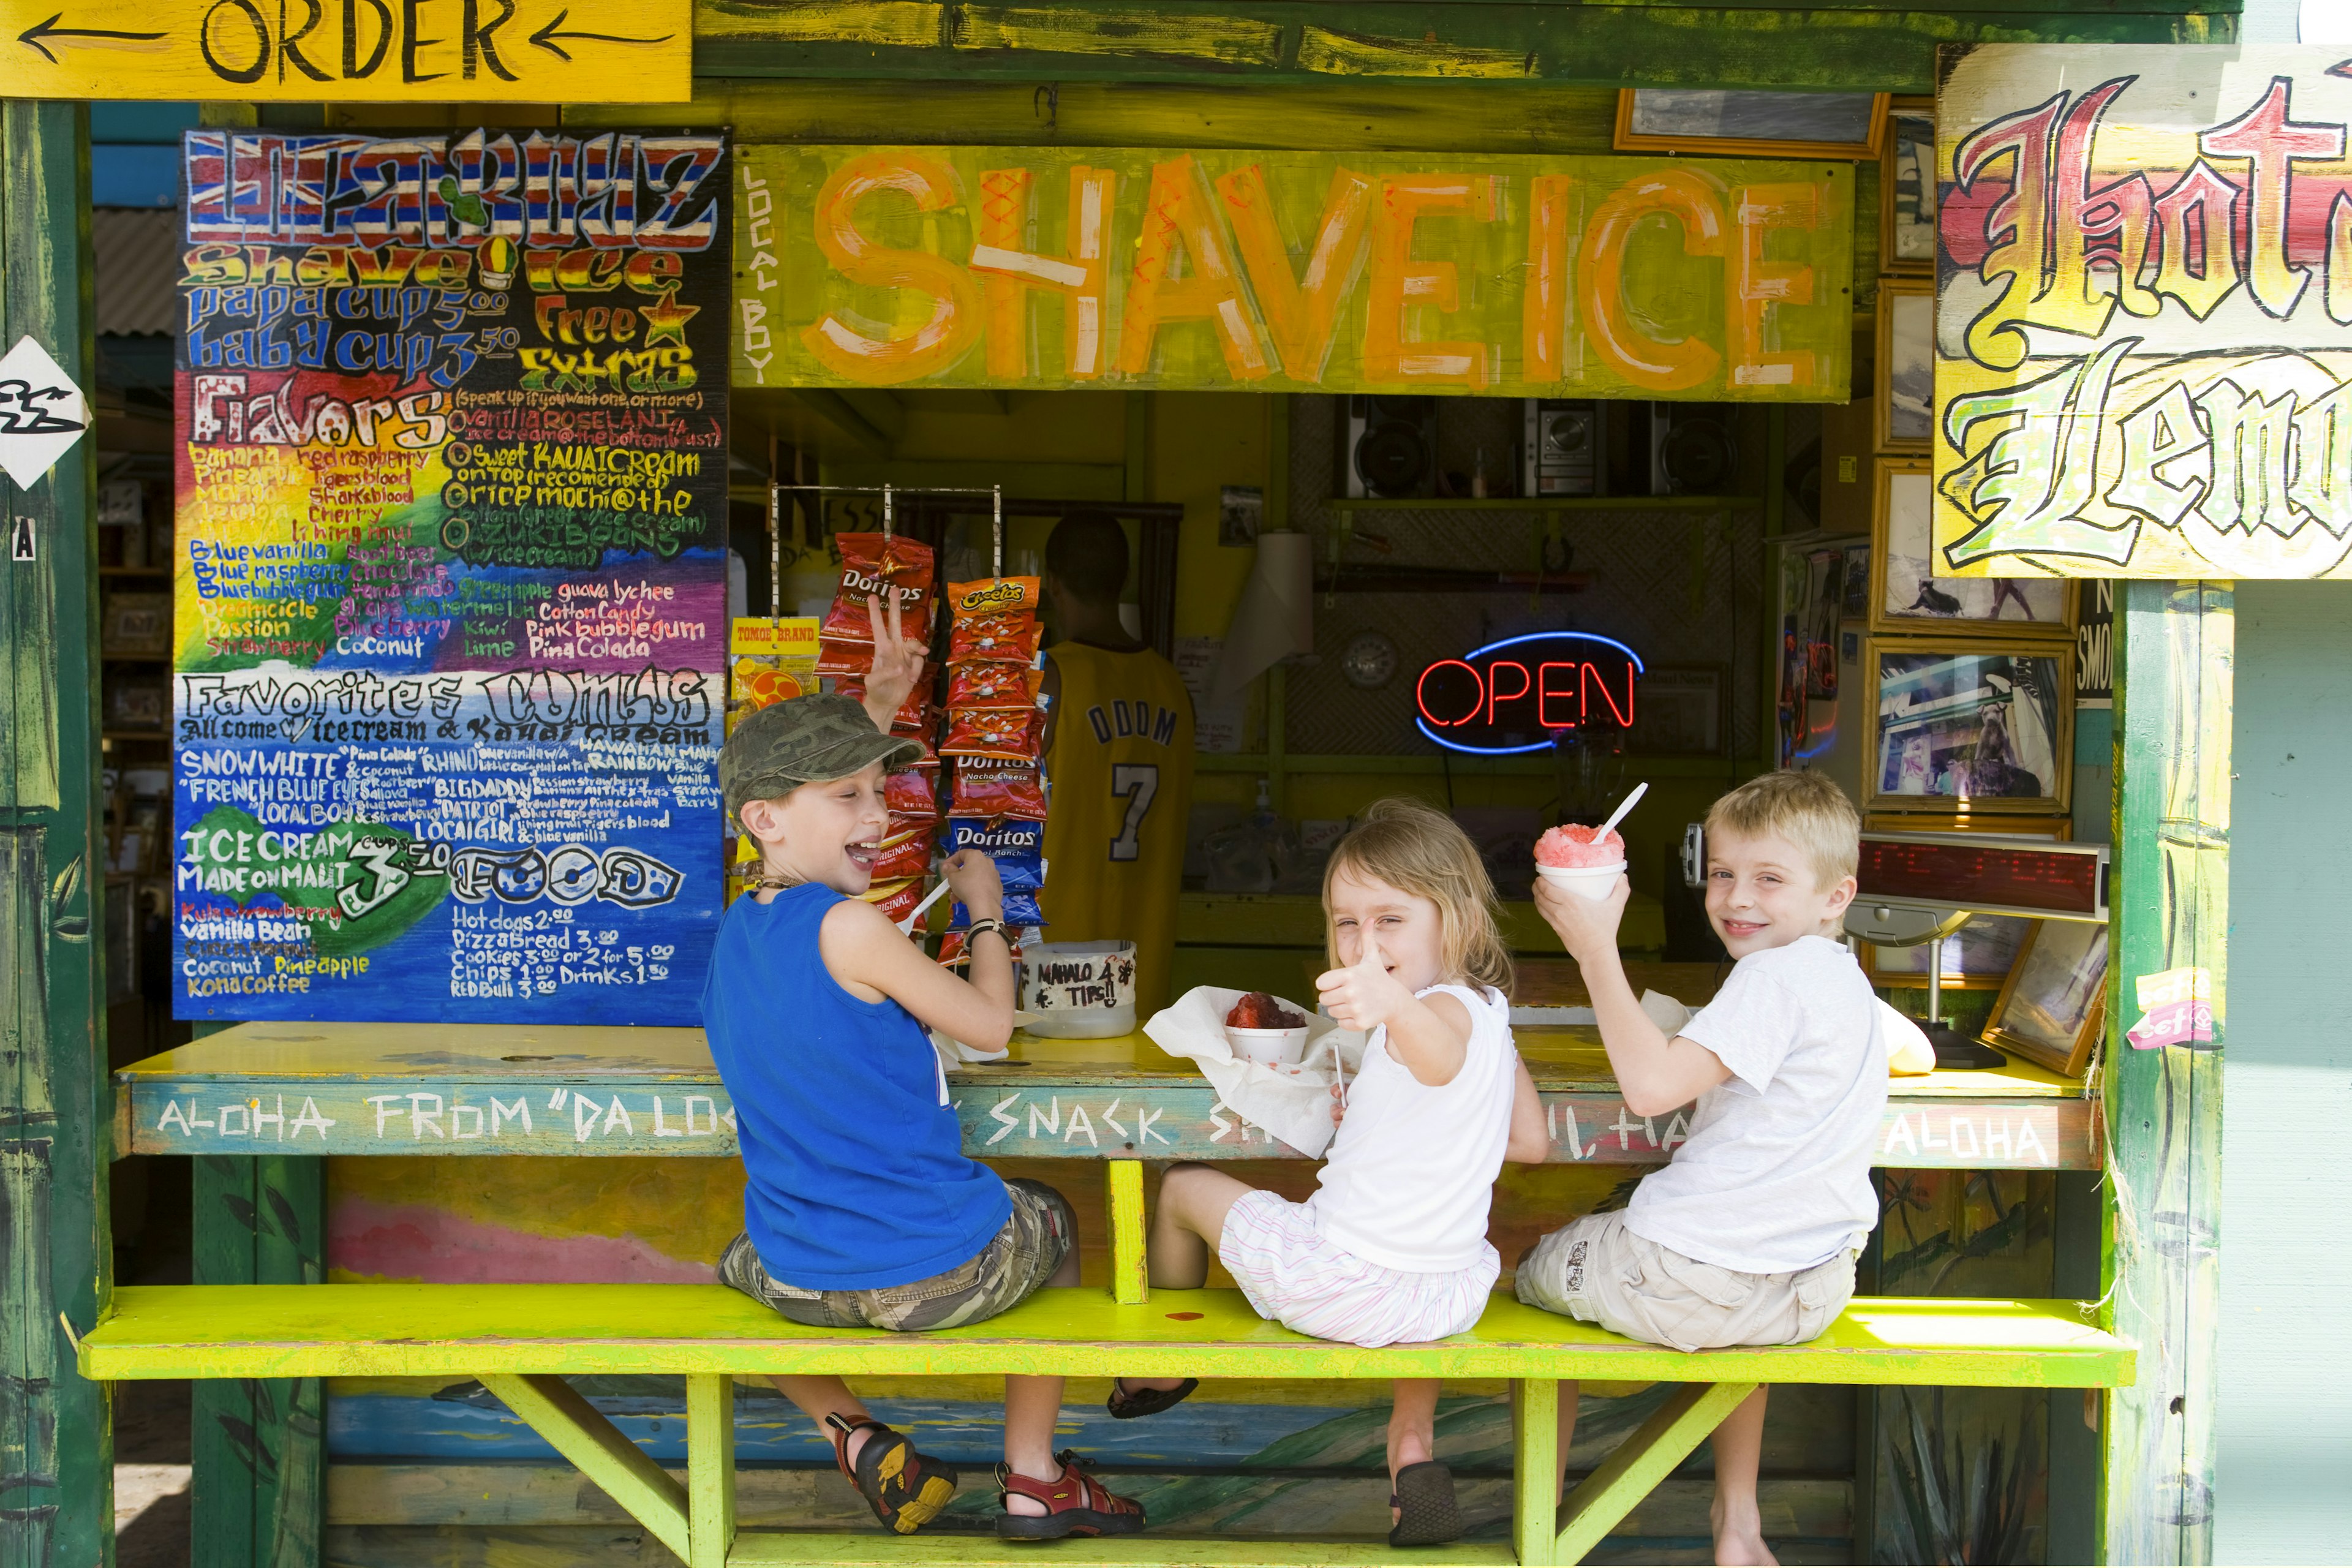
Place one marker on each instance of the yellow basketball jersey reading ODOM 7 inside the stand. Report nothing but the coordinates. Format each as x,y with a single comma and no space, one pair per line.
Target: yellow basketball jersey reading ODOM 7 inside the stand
1123,789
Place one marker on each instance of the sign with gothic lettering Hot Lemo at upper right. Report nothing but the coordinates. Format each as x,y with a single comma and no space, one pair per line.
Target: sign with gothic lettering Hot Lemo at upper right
2141,319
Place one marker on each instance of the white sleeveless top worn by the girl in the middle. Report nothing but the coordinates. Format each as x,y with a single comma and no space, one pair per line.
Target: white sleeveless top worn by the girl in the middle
1412,1172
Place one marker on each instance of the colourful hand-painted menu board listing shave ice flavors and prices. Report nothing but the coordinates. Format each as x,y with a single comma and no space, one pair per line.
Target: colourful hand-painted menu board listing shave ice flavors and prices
450,579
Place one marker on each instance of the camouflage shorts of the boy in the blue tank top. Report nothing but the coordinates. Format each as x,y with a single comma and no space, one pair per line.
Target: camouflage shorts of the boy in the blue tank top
1020,1259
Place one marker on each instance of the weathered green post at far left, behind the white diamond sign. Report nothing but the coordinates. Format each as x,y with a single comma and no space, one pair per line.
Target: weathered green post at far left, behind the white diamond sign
55,1125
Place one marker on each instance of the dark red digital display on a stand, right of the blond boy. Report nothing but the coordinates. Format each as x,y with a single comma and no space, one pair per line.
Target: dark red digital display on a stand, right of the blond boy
1923,887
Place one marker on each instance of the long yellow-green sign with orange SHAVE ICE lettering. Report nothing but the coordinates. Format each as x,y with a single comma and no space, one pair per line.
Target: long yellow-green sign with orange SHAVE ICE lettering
1295,272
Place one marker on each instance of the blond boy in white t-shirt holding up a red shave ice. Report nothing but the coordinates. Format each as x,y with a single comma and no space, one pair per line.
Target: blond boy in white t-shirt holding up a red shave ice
1749,1235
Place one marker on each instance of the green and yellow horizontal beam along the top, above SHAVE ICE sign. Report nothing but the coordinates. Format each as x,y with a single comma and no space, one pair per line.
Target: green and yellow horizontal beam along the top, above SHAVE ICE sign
1838,46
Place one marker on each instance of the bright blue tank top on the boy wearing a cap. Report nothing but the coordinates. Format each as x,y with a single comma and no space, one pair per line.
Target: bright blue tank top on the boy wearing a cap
857,1174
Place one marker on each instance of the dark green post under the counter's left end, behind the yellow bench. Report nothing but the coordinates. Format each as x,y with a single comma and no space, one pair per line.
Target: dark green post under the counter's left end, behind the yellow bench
258,1445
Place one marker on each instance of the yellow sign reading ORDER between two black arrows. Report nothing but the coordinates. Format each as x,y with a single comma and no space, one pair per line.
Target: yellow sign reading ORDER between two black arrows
349,51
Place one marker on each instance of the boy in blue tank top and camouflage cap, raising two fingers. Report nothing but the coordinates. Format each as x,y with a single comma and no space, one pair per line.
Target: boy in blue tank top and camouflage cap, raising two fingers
862,1209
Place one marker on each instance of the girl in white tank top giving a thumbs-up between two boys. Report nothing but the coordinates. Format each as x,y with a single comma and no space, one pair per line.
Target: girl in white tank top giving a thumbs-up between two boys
1394,1245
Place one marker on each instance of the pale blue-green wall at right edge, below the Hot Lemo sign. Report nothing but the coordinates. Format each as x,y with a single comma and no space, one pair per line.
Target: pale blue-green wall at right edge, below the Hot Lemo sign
2283,1487
